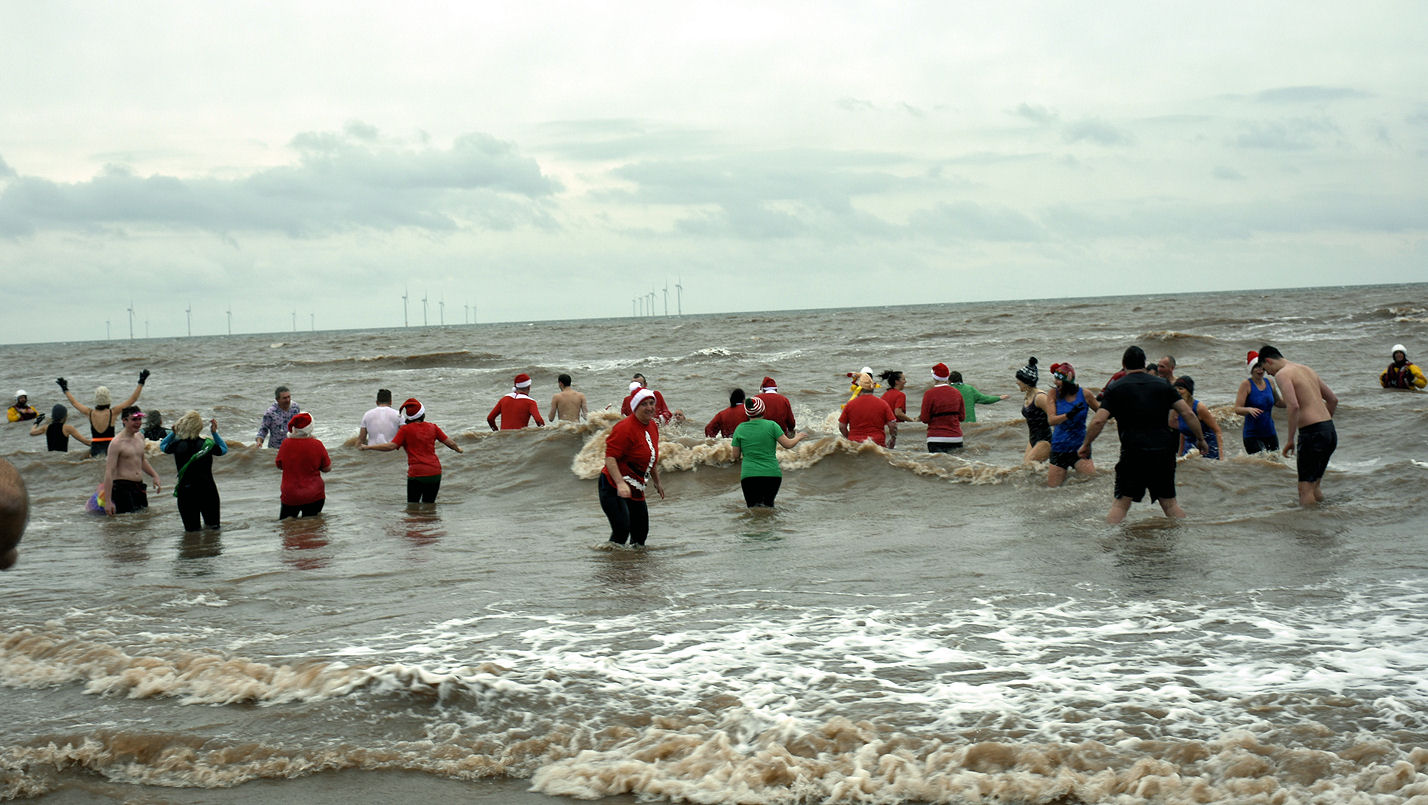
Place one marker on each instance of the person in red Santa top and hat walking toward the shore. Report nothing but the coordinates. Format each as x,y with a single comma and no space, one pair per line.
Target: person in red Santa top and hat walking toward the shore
632,463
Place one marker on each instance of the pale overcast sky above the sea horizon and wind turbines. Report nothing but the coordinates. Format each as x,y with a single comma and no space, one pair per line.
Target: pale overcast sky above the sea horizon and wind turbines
276,166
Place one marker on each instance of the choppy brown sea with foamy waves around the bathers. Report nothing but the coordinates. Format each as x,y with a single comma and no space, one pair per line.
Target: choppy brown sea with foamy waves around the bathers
903,627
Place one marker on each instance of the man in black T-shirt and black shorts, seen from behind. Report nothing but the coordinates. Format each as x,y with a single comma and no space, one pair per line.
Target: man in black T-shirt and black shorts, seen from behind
1142,406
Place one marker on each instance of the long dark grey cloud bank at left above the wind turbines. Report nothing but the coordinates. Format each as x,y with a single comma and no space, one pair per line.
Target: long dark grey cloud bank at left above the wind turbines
338,183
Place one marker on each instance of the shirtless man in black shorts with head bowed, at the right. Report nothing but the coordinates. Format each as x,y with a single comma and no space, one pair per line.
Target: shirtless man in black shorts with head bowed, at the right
1310,406
